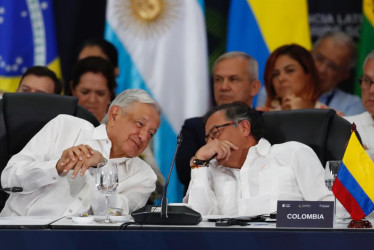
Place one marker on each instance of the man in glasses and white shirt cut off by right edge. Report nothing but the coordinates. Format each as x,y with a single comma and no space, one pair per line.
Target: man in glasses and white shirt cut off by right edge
365,121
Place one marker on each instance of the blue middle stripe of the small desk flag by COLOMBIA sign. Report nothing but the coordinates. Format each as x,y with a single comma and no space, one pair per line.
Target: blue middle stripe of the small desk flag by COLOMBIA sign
350,183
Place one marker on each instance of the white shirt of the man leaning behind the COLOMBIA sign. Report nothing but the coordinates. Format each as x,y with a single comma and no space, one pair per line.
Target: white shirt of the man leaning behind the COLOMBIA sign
288,171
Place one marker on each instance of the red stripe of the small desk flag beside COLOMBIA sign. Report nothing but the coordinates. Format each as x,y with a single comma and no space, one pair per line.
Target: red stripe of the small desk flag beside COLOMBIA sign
347,200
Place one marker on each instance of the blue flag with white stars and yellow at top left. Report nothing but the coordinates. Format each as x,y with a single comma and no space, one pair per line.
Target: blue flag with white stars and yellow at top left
27,38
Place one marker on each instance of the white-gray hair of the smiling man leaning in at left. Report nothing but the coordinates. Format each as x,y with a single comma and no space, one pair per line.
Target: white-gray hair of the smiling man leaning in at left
130,96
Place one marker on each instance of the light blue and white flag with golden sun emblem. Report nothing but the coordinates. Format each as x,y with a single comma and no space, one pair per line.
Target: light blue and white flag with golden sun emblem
162,49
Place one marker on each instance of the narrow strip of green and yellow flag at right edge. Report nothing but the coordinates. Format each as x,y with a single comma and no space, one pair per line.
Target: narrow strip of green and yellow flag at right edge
366,44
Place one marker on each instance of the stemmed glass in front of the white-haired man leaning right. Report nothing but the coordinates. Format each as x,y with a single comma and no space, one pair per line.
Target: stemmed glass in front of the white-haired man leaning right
107,182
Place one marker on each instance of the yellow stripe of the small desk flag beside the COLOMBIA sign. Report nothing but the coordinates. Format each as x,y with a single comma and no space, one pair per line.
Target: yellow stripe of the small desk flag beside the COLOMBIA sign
360,165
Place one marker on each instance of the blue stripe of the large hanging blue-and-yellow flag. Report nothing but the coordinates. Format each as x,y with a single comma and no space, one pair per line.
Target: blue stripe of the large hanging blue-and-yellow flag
245,35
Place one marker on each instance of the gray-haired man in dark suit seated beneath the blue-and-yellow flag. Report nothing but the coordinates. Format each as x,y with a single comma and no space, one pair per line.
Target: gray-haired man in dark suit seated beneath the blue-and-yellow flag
235,76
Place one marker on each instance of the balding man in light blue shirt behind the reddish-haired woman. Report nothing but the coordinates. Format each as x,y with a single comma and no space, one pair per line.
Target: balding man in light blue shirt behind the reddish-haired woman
335,55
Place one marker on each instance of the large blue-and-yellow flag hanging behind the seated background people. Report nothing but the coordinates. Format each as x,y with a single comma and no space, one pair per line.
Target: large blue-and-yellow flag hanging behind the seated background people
258,27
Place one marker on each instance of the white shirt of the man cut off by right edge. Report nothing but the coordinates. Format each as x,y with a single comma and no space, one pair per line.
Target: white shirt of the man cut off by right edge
365,127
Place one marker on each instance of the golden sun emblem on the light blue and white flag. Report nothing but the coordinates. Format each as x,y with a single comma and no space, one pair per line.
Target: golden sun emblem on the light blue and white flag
147,18
